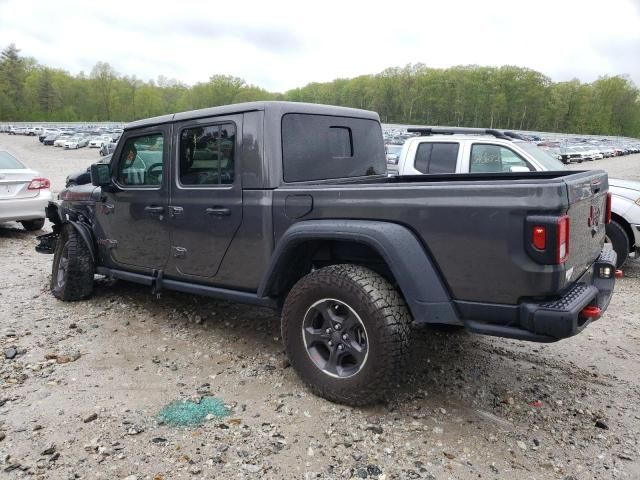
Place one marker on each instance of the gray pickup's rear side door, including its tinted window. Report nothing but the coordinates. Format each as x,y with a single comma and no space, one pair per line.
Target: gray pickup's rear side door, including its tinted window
205,206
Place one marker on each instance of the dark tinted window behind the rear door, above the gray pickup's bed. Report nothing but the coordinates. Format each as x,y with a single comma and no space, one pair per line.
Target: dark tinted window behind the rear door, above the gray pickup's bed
320,147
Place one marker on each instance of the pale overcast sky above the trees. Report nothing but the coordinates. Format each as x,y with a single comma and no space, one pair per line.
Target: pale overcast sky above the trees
281,45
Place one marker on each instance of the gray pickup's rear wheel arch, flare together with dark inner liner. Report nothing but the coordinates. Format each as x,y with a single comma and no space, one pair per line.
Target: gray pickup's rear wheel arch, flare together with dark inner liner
389,246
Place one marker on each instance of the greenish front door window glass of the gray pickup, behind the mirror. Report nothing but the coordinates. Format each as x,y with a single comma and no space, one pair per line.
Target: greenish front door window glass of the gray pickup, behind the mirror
141,161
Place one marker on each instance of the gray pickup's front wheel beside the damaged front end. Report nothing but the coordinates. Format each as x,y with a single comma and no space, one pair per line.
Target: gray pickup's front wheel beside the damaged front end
73,270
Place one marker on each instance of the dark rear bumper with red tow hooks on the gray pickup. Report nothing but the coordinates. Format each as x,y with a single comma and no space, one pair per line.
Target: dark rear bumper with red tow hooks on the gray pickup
548,321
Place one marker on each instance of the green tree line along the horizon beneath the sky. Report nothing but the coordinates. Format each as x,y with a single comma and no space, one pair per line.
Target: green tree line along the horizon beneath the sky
507,97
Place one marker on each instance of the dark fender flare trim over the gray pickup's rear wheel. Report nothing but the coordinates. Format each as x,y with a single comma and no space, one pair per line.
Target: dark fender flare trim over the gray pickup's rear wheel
417,276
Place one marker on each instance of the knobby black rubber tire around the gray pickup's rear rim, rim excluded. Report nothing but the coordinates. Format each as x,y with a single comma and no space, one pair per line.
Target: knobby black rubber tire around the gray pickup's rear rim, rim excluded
384,315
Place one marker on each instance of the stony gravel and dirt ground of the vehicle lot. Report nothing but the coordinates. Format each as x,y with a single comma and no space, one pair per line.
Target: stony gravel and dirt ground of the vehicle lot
81,395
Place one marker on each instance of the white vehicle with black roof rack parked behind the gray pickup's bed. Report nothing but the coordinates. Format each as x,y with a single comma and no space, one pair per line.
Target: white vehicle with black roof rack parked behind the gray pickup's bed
473,150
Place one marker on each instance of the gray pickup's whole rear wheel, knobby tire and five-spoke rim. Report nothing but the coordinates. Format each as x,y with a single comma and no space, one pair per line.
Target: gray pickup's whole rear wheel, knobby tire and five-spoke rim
346,333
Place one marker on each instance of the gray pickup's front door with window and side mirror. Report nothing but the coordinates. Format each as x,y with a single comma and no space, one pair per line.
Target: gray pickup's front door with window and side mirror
132,212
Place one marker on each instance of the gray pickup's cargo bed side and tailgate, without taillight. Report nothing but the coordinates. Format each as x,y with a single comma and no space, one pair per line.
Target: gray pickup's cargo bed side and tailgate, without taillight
472,224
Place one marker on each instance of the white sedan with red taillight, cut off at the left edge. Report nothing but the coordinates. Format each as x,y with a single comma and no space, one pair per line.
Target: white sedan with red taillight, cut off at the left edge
24,193
